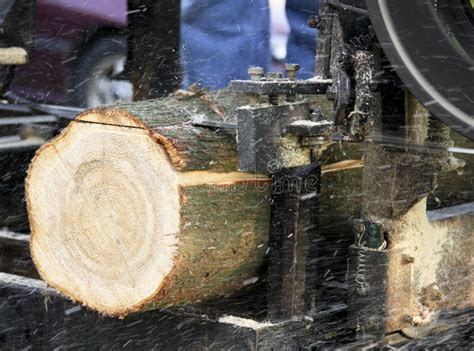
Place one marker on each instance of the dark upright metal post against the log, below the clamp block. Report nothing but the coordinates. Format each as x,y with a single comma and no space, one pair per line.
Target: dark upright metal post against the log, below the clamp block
292,255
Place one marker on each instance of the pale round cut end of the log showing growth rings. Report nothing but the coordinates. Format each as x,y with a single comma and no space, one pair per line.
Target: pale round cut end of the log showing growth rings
114,223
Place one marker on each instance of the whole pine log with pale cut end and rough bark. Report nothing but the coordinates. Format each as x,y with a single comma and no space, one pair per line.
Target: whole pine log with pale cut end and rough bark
133,208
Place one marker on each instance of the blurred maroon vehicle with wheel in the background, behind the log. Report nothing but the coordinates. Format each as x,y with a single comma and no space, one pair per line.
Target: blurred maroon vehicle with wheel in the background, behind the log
78,51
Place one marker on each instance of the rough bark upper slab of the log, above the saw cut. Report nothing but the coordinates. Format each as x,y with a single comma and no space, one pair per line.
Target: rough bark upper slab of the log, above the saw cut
169,122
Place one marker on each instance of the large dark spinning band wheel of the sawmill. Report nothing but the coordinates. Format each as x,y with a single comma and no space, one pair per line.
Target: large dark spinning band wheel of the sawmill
430,43
